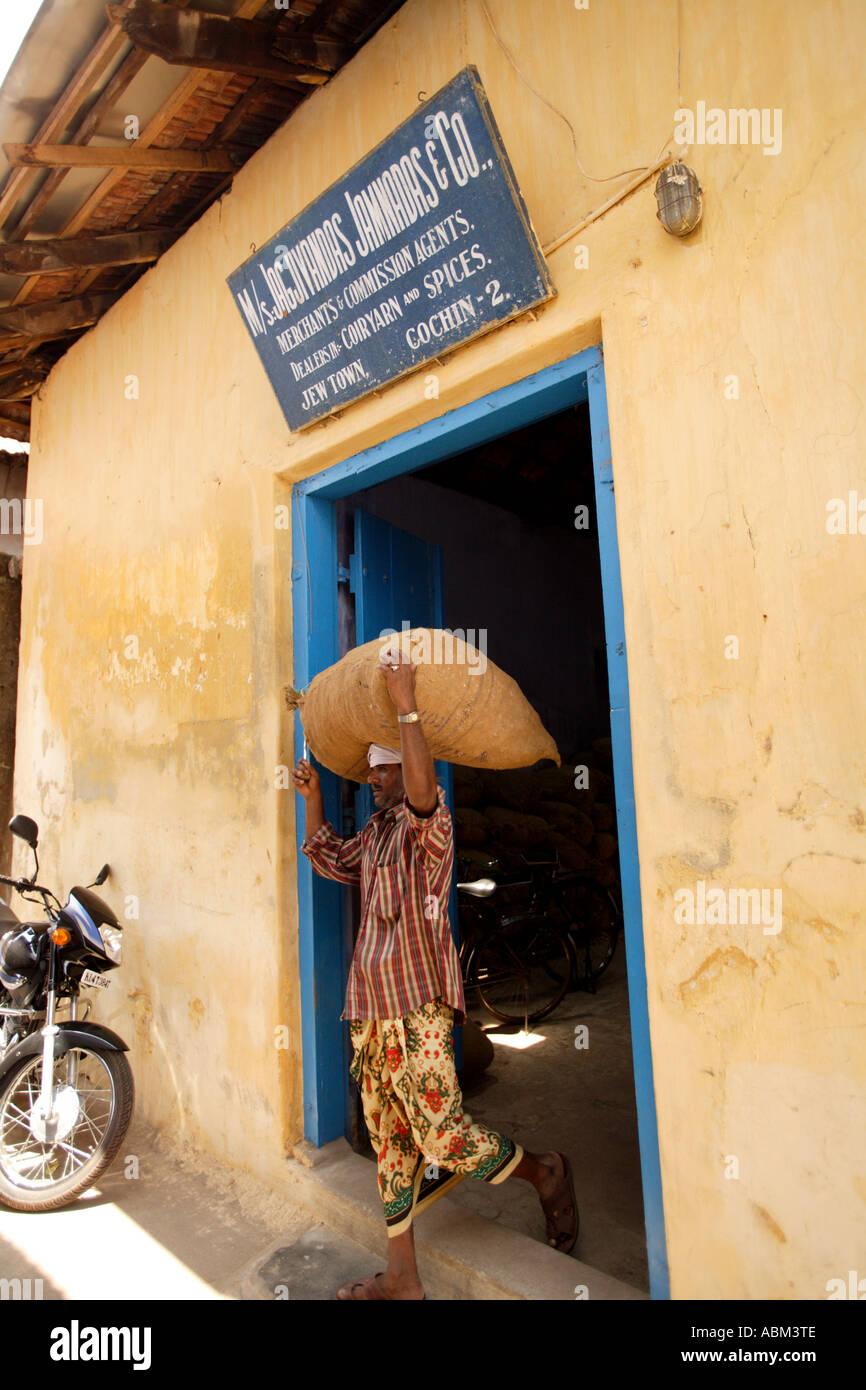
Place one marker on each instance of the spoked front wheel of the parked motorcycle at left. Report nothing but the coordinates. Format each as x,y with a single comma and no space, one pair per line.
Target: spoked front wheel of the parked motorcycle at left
42,1170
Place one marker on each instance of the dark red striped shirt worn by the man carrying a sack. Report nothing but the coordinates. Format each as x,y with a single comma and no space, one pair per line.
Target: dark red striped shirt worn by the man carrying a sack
405,954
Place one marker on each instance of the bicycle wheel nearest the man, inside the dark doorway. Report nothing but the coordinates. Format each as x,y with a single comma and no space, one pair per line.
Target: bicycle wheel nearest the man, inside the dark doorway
523,975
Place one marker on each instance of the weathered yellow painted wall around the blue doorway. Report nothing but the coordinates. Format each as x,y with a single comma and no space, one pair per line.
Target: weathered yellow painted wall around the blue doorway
749,774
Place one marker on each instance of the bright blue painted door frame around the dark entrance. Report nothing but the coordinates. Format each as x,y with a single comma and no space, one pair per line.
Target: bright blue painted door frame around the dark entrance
316,647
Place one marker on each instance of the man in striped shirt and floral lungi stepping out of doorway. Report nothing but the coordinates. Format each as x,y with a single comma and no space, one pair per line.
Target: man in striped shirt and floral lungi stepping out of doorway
405,992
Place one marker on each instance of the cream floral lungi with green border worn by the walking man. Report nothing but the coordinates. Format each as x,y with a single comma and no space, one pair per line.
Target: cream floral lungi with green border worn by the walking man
414,1107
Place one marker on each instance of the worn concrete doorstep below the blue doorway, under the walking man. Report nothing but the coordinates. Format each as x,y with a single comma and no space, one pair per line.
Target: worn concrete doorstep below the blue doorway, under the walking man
461,1256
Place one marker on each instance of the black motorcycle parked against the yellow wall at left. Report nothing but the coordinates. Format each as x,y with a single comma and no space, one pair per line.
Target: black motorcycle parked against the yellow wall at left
66,1088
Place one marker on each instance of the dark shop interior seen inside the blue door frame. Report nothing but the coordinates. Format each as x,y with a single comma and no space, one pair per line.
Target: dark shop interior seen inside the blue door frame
515,522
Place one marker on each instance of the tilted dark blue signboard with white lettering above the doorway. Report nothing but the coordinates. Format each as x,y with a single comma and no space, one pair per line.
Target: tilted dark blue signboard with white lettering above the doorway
422,247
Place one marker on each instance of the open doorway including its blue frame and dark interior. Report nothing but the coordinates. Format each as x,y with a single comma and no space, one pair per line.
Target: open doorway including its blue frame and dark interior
501,505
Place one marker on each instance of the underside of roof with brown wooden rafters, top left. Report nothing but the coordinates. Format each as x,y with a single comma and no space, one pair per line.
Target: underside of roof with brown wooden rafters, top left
158,186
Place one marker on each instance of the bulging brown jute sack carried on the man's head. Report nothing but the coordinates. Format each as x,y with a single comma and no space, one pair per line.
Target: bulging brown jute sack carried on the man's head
471,711
